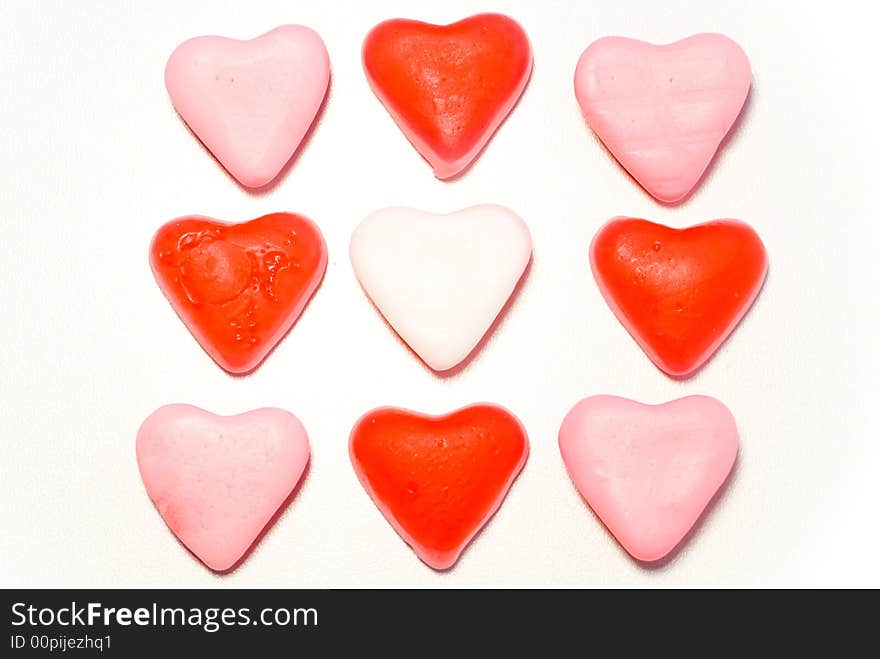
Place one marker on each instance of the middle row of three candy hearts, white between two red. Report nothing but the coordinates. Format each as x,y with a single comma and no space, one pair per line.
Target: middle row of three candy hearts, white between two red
441,280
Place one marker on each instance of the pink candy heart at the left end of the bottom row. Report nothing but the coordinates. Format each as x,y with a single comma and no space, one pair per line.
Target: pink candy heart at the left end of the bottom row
218,481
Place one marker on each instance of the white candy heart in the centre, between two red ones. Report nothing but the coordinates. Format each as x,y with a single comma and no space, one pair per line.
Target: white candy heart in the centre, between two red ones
440,280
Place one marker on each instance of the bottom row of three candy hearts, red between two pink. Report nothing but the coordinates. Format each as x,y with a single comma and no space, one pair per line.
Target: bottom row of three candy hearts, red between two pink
647,471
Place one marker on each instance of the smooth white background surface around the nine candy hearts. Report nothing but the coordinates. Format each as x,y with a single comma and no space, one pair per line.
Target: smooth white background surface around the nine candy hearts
94,160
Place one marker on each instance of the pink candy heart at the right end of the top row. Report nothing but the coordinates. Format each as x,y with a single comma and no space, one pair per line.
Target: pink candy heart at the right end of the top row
663,110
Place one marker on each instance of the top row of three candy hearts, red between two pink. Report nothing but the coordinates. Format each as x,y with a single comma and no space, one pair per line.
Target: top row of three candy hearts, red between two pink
662,111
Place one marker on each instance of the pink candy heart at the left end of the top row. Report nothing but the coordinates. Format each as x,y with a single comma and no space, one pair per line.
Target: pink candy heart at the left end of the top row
250,102
